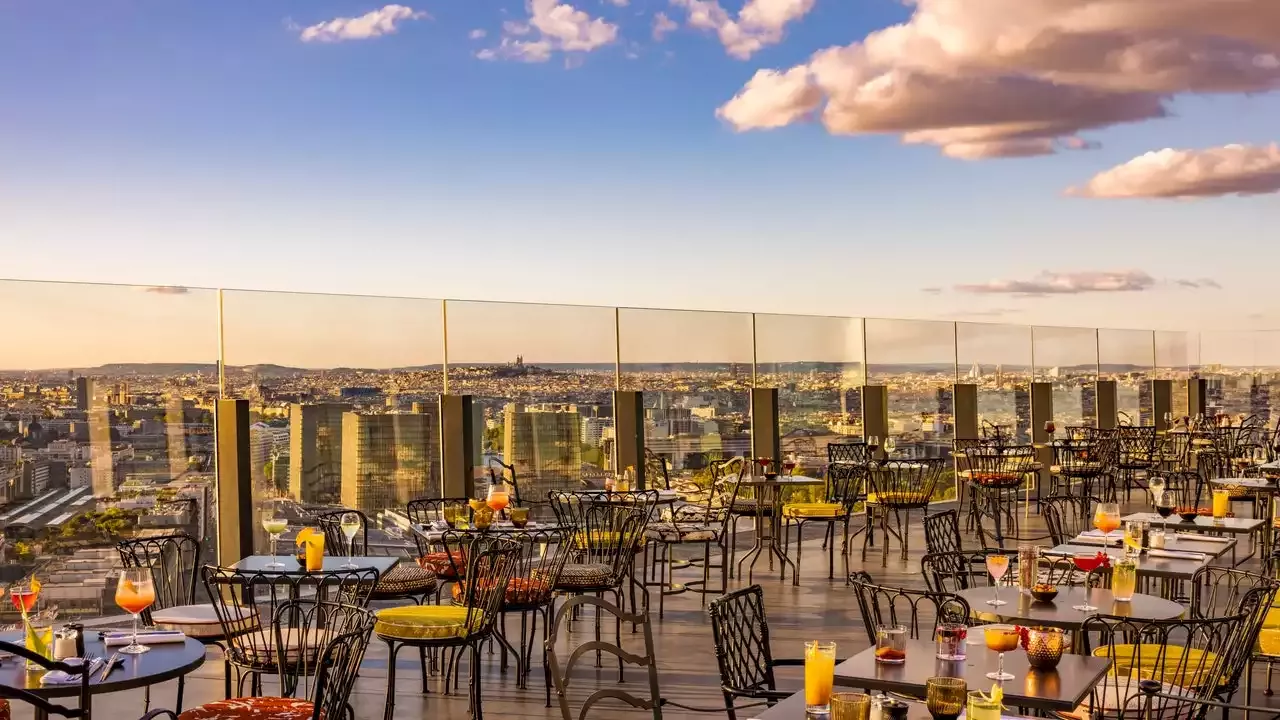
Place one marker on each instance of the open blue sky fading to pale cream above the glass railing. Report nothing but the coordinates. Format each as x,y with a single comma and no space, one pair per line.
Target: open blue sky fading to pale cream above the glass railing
207,144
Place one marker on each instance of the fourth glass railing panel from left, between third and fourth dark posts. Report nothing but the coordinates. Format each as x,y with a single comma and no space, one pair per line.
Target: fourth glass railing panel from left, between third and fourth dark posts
696,372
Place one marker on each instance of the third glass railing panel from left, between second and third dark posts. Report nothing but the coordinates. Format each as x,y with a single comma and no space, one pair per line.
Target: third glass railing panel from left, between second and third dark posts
542,380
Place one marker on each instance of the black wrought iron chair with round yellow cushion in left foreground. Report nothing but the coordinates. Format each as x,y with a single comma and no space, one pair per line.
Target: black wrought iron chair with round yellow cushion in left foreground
458,628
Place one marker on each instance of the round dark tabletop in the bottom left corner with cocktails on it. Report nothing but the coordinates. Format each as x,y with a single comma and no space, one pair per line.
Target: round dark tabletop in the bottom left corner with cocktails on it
164,662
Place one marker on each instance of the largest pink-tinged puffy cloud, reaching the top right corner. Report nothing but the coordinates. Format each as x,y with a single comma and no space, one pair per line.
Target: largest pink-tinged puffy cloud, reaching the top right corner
1000,79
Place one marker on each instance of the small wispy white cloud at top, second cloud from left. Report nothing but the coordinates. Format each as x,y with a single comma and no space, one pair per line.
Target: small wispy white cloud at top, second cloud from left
554,28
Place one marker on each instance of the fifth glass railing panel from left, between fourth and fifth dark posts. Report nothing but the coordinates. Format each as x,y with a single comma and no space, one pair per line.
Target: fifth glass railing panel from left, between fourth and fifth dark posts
817,366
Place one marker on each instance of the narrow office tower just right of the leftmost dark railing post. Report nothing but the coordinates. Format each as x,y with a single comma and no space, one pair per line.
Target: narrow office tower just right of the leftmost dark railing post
316,452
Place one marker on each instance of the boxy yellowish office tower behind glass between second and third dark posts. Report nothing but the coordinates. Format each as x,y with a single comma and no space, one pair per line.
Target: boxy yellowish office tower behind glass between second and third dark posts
545,445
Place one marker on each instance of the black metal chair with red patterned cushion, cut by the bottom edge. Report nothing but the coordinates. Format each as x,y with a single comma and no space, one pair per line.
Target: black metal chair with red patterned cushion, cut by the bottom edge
323,686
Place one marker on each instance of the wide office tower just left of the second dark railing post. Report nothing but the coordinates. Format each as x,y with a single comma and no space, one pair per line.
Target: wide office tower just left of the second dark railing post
388,461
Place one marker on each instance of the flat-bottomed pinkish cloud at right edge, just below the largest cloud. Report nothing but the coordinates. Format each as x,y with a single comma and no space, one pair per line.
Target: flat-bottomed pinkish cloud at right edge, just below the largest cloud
1232,170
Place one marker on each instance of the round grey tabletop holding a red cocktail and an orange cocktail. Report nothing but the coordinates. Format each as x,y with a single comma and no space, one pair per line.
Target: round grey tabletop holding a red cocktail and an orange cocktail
1062,613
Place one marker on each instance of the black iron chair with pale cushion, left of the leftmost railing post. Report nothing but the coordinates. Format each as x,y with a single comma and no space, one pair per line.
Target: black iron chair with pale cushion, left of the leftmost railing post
175,563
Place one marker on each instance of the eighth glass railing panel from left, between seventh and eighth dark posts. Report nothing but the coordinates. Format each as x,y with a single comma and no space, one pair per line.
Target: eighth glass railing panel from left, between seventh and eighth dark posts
1068,358
